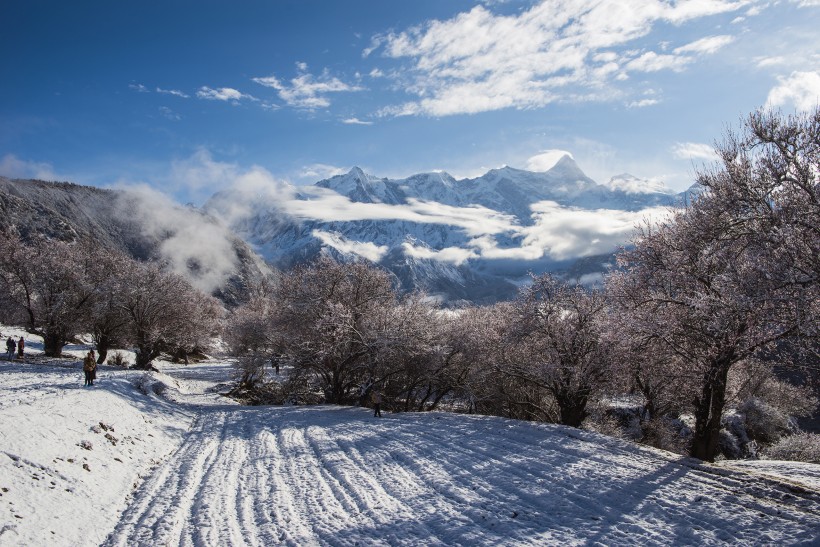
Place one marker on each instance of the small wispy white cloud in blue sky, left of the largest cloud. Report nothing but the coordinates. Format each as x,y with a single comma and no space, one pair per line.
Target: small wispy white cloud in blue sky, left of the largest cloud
307,91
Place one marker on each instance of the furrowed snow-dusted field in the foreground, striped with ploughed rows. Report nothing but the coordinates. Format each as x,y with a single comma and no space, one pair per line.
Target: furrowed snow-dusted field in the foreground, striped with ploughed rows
337,476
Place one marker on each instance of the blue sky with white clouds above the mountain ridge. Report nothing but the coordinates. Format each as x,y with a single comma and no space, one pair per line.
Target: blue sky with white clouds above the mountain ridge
188,96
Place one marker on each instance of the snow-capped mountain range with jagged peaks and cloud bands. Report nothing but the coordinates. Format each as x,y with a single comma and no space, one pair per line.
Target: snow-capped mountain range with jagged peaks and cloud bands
468,239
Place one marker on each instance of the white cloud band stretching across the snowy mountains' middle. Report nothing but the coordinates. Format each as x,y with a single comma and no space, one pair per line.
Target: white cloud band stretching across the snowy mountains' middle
552,232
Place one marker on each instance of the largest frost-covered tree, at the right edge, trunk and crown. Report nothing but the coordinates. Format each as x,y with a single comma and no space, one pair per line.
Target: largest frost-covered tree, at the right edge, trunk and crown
737,270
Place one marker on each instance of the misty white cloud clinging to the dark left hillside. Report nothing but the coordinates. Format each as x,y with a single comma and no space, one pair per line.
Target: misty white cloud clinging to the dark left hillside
193,245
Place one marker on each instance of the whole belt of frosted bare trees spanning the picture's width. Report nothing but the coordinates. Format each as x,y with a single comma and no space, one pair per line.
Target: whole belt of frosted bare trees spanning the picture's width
682,347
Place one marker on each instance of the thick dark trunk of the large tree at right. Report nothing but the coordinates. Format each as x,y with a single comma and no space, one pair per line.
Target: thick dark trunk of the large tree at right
709,411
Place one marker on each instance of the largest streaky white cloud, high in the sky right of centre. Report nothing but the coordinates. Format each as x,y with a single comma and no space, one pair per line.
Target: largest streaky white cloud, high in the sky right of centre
555,51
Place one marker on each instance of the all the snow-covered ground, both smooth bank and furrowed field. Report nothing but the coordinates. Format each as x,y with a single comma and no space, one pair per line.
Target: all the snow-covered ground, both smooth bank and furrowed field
161,459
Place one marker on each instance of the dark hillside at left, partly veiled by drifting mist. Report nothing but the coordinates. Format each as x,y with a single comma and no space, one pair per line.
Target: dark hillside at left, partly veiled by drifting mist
144,225
